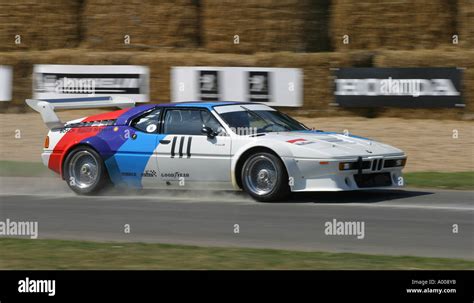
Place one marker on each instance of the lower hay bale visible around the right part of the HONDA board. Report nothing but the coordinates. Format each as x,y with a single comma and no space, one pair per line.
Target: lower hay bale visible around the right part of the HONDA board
433,58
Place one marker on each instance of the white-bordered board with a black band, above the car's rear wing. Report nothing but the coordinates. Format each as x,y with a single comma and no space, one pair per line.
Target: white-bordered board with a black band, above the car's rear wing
75,81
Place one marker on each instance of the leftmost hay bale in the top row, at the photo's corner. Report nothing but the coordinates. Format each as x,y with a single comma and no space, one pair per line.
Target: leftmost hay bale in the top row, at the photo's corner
41,24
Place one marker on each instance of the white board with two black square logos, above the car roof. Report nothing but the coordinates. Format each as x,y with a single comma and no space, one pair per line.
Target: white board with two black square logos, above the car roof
272,86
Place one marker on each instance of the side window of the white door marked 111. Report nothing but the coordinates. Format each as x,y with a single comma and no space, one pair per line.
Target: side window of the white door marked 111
188,121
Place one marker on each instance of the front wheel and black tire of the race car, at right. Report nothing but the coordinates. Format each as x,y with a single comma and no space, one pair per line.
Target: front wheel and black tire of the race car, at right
264,177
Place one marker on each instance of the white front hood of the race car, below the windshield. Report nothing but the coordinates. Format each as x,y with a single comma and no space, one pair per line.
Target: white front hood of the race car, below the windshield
317,144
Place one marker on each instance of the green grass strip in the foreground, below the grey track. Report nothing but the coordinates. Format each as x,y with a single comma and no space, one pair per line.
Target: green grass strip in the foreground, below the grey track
59,254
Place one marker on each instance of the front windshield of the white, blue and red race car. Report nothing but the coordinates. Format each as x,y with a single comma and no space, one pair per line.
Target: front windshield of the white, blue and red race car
254,119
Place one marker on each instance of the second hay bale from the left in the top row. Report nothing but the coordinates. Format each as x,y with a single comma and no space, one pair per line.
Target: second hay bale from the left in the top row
150,24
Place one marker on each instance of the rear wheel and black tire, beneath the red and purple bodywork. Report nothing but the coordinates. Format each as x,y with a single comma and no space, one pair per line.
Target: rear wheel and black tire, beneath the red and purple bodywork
78,163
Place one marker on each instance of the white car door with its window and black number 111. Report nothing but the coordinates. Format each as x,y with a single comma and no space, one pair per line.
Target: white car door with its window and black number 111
187,157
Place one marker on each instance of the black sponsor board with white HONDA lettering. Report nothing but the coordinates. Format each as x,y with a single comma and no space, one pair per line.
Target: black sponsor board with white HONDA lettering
398,87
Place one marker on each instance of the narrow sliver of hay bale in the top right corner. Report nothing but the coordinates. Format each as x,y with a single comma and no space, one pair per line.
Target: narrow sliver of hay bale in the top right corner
465,20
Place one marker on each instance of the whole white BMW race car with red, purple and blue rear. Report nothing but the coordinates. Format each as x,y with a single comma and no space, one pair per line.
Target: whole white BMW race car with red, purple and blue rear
211,145
